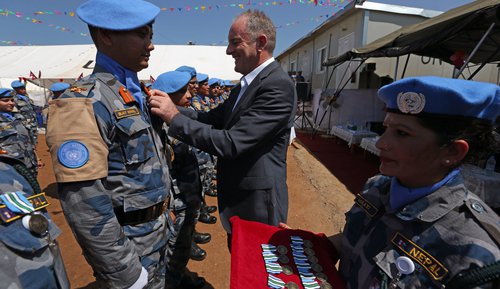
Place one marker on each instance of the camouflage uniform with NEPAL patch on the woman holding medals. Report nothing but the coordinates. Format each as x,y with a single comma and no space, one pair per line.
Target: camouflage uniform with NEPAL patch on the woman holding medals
439,232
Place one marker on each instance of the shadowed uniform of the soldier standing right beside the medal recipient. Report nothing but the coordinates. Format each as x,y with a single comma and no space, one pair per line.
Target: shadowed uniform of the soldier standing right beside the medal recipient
186,206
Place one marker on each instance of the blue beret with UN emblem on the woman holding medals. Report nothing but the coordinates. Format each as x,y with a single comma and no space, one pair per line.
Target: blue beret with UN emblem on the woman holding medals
443,96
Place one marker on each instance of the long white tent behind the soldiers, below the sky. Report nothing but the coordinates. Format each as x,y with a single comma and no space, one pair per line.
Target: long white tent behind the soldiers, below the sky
67,62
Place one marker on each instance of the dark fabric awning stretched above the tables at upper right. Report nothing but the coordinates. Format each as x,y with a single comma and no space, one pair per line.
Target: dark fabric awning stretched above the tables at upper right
459,29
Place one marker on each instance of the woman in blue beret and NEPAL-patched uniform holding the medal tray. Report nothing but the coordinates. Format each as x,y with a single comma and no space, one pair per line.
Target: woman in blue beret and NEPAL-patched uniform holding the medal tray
417,225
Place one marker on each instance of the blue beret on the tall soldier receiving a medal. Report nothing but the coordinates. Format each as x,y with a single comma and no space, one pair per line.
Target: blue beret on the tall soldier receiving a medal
117,14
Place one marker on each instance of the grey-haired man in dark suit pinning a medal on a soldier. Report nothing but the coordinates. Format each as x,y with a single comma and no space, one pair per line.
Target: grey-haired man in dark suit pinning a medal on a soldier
250,131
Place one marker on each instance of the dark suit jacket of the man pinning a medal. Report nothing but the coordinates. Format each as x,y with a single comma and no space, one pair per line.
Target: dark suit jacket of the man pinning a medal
251,143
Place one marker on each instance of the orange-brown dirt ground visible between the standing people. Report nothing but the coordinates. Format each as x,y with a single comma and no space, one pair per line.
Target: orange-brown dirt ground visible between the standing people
317,203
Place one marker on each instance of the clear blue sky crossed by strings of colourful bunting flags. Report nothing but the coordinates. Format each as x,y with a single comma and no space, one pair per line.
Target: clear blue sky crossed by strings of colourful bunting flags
202,22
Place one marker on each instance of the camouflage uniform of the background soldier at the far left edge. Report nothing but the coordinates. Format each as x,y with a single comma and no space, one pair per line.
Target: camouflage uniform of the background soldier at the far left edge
15,139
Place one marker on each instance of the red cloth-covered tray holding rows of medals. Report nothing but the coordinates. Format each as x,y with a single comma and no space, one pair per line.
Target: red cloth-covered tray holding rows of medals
265,256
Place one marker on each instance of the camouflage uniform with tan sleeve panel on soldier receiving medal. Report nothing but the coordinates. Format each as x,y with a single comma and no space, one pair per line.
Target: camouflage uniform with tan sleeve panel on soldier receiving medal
115,203
